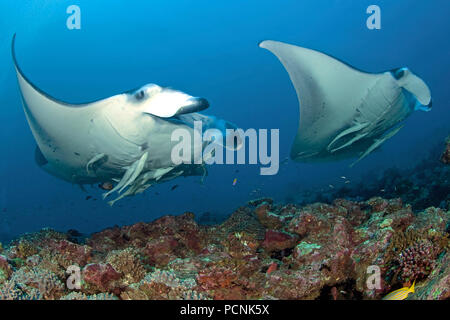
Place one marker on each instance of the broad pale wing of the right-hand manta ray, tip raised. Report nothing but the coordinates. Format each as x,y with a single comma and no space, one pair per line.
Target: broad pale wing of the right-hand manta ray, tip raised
326,91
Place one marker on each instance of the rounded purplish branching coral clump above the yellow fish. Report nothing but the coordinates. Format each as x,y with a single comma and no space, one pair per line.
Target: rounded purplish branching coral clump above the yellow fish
418,260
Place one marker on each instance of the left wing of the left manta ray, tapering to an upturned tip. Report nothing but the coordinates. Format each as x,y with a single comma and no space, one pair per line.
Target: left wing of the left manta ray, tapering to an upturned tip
64,132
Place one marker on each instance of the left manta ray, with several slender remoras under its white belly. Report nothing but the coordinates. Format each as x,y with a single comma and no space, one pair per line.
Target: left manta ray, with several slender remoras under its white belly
125,138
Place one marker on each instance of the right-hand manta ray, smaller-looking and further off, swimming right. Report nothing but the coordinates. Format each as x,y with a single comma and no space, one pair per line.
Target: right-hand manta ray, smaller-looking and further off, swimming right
345,112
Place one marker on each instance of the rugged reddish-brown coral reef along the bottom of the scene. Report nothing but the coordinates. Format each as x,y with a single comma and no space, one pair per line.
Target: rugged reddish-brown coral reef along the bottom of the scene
262,251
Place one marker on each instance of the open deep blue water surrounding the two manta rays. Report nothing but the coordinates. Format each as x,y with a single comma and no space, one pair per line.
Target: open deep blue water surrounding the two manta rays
209,49
